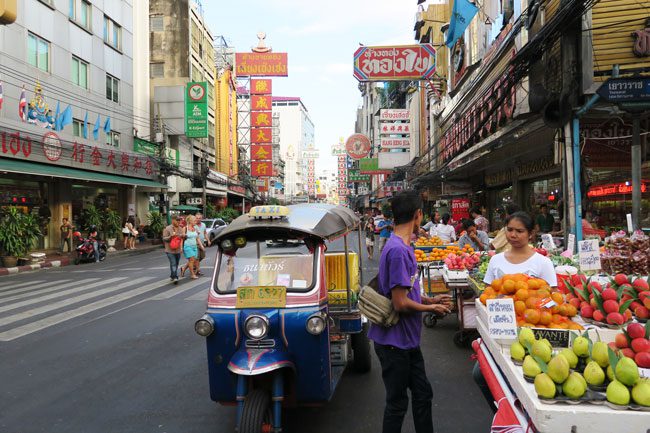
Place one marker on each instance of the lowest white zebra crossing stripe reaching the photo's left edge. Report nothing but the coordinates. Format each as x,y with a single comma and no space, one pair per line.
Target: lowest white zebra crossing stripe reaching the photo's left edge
80,311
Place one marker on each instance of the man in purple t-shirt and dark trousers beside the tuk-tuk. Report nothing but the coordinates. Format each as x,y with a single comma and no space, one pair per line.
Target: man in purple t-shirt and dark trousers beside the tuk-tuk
398,347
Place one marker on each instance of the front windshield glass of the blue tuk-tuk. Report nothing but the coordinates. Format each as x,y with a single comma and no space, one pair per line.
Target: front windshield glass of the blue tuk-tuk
289,264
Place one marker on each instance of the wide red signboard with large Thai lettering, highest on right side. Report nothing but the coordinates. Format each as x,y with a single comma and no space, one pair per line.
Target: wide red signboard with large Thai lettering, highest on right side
386,63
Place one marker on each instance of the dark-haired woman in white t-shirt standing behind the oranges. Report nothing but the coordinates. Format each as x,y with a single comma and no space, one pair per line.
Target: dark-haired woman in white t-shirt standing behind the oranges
522,258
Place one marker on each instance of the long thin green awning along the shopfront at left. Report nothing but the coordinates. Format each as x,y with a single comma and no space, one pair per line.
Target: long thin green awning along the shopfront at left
25,167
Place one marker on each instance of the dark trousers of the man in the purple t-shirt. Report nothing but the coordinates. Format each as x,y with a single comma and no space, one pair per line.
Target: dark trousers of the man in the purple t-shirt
401,370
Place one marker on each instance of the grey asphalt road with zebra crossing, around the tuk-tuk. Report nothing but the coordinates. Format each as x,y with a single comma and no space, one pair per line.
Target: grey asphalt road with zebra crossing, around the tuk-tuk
110,347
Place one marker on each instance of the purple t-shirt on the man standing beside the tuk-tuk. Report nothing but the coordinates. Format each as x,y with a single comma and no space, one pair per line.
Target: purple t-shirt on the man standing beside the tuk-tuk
397,267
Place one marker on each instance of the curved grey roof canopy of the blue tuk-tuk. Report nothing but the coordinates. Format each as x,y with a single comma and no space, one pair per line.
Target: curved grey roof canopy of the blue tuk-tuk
318,220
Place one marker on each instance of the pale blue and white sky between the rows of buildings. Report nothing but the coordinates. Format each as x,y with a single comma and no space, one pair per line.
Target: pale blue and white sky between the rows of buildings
320,39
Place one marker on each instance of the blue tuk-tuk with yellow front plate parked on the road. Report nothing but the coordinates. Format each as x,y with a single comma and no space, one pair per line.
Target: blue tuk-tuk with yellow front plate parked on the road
282,321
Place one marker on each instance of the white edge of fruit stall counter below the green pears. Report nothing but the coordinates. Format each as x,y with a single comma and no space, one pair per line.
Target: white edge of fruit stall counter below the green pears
561,418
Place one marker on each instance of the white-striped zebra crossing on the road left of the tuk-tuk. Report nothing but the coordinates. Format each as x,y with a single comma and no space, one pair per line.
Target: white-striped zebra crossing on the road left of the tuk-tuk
30,306
